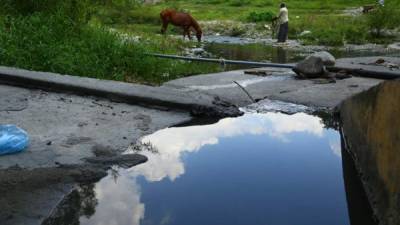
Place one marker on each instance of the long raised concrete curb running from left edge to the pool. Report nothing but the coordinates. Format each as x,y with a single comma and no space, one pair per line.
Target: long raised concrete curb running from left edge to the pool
129,93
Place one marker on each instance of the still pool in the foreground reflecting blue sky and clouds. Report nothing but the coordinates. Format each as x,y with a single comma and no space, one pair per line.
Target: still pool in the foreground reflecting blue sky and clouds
269,168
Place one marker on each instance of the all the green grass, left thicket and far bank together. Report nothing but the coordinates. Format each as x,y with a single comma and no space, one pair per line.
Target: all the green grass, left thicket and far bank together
75,37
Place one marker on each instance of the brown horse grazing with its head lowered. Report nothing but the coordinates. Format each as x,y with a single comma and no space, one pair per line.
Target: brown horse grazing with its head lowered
180,19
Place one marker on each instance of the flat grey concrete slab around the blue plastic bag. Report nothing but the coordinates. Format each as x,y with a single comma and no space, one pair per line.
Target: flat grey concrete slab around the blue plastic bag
65,128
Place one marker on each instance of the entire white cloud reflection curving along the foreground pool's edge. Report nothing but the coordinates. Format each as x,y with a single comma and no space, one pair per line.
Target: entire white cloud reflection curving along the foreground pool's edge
122,198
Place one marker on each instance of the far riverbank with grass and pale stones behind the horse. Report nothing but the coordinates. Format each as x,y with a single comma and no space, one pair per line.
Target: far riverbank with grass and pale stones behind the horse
331,23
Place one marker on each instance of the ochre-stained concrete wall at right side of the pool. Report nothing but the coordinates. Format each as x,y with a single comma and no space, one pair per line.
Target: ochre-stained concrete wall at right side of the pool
371,128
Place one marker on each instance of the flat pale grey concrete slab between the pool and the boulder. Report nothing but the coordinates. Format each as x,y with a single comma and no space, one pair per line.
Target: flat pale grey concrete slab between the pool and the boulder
281,85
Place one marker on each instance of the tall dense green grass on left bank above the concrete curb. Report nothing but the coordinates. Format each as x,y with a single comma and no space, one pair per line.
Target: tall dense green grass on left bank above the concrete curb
55,37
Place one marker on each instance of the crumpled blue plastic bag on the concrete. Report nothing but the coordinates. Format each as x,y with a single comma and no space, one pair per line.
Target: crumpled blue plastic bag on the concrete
12,139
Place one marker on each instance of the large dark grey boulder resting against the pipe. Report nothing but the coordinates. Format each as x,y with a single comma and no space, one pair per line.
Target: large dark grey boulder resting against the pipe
311,67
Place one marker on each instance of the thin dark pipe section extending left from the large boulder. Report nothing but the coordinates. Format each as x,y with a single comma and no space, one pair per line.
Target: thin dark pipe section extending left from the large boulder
224,61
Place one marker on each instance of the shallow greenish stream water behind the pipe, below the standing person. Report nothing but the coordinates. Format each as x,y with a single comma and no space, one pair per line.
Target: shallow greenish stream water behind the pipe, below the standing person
276,54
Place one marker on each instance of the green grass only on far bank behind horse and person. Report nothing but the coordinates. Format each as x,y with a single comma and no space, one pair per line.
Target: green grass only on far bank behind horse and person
327,21
